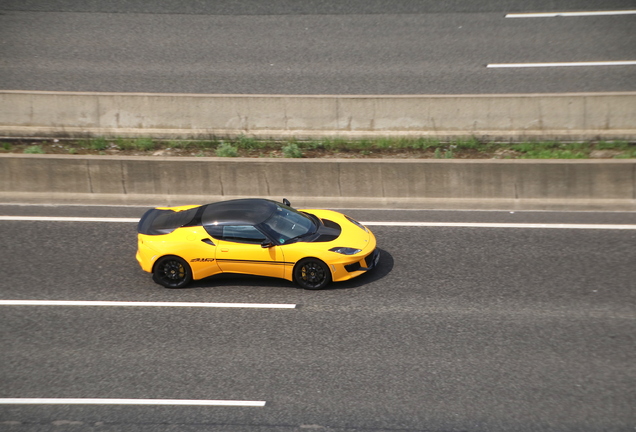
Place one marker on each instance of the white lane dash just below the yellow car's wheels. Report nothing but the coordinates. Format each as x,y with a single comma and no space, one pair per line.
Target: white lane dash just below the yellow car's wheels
143,304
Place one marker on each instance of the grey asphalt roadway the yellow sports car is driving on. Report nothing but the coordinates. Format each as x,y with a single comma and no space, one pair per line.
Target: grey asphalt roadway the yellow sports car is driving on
458,329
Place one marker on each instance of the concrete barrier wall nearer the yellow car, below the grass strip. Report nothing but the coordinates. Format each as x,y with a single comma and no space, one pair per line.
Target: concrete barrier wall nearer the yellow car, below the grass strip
551,184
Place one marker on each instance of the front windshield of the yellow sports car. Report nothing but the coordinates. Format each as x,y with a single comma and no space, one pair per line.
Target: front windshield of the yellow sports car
286,225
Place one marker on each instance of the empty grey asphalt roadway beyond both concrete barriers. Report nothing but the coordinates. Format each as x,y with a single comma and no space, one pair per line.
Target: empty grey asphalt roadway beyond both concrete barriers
313,47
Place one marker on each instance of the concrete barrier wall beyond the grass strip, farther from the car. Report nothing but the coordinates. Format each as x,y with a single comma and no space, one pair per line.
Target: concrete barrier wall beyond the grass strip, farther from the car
503,117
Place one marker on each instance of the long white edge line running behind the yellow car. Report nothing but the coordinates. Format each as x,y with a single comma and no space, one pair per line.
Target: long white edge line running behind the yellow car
404,224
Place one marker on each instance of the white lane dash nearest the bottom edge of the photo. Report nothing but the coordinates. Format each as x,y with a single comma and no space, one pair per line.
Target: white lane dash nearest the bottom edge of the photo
91,401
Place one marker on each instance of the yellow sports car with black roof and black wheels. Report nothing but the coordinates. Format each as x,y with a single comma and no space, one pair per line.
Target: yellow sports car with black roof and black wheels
256,237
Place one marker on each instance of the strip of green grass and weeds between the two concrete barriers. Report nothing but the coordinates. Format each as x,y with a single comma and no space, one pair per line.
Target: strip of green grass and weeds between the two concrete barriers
243,146
